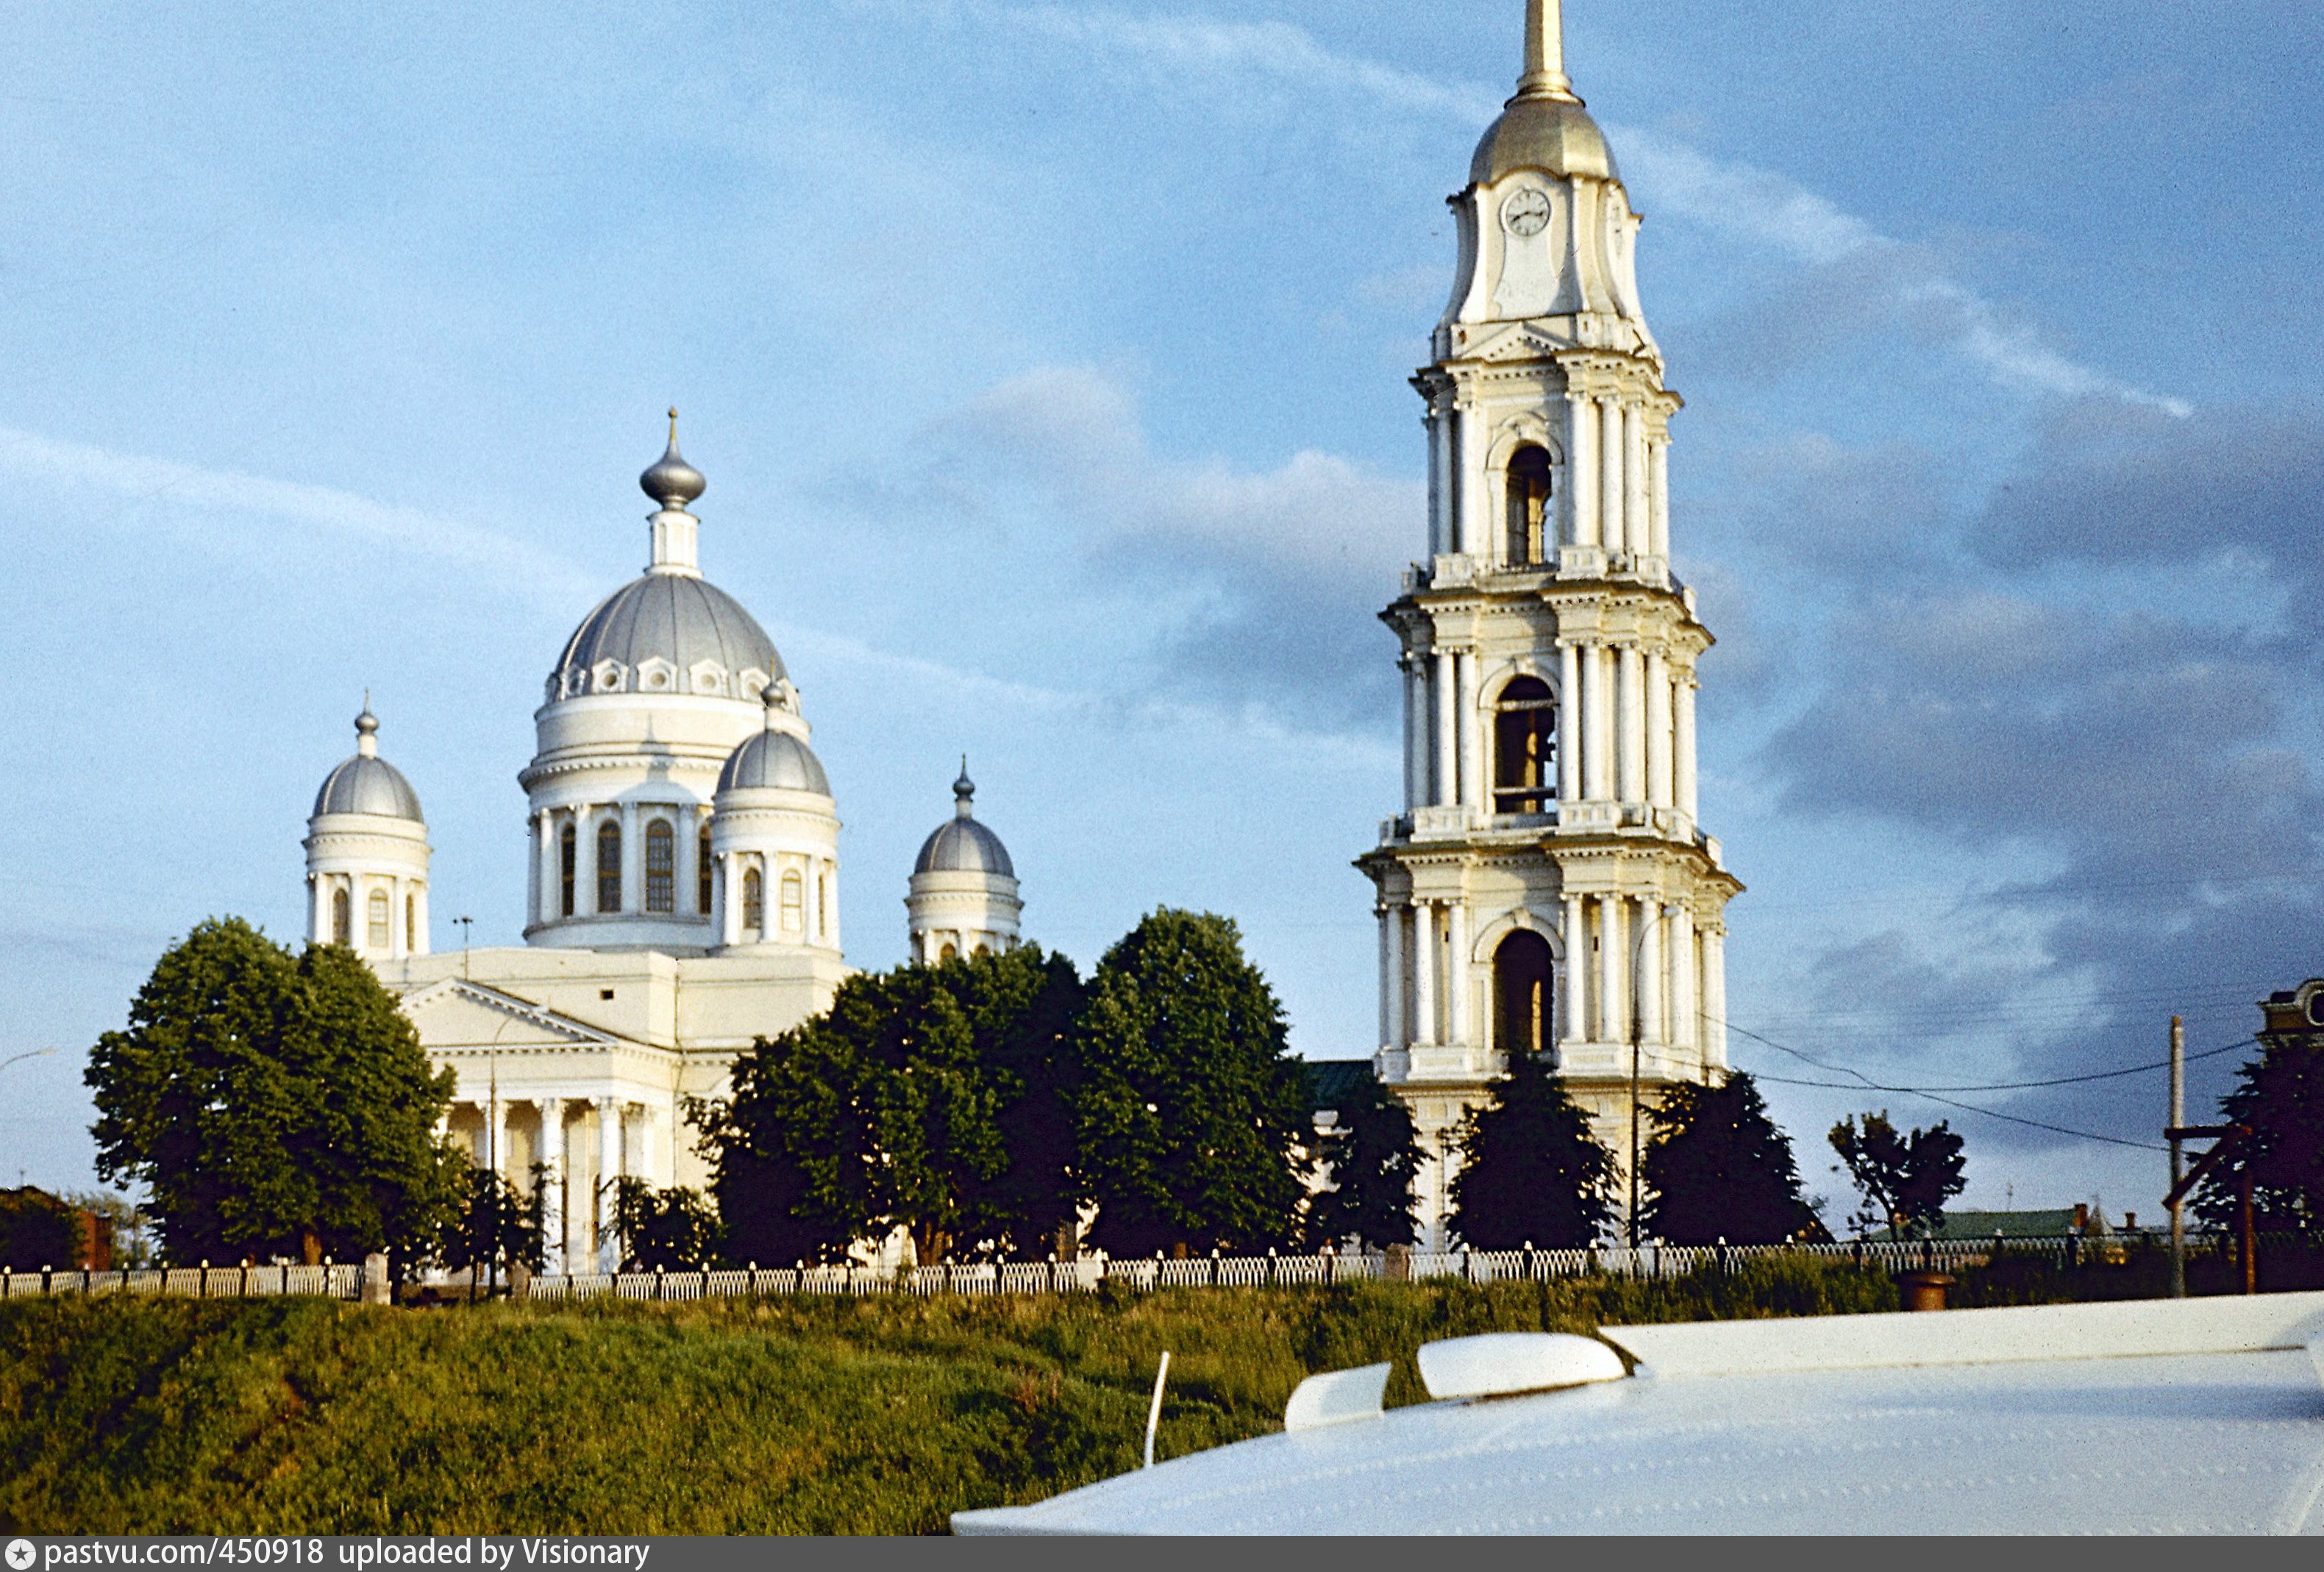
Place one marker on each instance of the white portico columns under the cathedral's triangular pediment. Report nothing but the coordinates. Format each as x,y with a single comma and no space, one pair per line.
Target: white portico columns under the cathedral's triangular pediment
629,1145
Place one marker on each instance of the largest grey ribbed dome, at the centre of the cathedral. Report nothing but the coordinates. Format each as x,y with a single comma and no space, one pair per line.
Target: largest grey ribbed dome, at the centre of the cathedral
680,620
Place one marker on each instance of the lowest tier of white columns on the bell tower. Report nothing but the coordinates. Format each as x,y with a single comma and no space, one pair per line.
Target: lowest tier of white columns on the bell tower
1656,971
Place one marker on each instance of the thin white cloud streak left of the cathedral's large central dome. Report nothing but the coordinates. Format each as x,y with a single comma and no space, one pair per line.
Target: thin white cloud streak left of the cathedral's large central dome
324,510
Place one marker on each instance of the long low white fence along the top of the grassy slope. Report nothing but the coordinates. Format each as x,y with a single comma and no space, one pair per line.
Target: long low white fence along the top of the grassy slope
1086,1276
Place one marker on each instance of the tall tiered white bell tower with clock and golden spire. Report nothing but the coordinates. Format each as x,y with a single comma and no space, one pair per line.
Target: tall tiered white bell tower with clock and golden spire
1549,887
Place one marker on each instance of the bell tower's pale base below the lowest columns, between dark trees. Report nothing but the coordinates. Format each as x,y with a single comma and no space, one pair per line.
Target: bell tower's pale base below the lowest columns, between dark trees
1595,1073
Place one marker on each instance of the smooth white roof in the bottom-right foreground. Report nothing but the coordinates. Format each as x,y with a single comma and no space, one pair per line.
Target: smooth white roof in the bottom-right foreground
2146,1417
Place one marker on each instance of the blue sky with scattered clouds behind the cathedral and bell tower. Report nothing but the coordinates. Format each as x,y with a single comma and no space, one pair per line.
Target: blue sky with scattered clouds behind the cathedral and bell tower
1049,371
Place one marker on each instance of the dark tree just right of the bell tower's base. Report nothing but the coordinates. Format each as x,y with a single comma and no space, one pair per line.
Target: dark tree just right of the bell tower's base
1719,1169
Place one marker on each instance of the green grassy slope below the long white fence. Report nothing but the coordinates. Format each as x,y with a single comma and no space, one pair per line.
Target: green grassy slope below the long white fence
798,1415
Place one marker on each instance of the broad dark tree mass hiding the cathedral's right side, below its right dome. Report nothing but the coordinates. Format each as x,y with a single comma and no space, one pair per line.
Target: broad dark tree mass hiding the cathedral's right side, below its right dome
931,1099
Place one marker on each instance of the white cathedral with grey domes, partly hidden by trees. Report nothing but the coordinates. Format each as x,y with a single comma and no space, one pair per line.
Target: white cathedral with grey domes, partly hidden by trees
682,892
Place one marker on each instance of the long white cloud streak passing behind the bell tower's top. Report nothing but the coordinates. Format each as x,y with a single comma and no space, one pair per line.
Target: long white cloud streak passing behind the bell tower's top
1728,199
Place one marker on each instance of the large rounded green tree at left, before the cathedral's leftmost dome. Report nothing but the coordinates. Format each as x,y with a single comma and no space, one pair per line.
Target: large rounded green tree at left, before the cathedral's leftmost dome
273,1106
